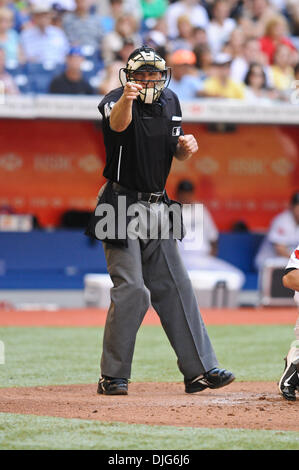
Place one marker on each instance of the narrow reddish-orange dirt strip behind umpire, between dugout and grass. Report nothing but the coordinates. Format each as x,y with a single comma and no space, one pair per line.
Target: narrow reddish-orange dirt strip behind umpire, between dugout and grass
96,317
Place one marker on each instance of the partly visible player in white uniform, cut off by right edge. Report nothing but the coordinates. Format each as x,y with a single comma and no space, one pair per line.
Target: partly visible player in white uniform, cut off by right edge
289,381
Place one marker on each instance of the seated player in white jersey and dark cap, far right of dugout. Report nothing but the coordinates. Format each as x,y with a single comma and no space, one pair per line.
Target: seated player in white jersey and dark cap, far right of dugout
283,235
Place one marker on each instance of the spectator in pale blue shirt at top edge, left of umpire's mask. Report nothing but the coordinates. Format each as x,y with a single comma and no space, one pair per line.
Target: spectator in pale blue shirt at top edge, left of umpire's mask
81,27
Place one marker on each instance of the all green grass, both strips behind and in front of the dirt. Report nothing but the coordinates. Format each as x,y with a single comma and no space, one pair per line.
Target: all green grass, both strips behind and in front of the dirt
44,356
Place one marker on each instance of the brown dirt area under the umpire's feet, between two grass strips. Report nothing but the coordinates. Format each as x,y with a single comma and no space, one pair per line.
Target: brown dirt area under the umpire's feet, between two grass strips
248,405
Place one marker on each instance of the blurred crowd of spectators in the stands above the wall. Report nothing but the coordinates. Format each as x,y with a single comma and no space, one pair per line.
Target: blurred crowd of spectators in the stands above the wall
238,49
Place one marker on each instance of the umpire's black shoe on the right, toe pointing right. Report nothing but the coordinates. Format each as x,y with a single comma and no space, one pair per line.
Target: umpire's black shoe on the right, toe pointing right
214,378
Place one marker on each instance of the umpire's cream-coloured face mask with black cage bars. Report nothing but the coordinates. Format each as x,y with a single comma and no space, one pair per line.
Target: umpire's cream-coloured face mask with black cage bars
146,59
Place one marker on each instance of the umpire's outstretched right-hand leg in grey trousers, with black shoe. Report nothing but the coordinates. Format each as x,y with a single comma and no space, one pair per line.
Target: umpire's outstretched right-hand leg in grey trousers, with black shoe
173,298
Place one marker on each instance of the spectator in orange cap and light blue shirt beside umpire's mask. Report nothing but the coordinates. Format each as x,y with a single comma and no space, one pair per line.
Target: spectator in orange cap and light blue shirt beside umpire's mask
184,81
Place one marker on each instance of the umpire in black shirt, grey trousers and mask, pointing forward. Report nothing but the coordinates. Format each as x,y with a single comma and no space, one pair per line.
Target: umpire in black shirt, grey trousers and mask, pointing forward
142,133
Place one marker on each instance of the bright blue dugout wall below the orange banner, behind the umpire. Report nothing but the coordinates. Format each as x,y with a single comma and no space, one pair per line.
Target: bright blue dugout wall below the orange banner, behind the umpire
61,259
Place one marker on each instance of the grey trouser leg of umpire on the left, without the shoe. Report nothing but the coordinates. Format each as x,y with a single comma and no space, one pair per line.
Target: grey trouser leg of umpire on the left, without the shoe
129,303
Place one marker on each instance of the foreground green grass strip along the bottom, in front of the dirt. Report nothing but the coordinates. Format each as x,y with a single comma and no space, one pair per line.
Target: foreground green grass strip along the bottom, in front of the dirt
34,432
